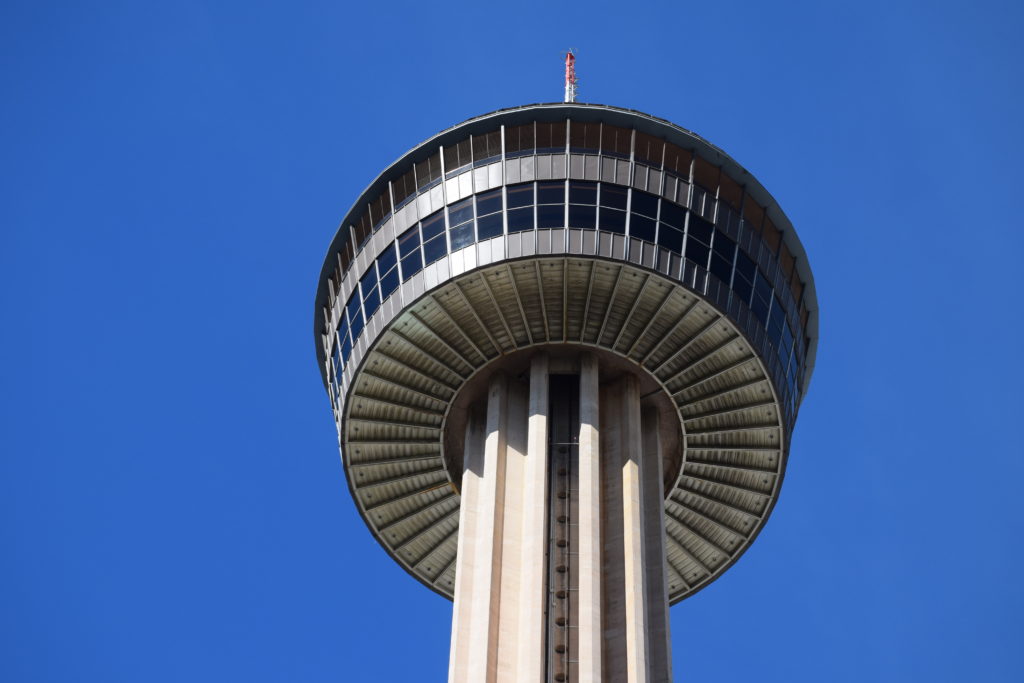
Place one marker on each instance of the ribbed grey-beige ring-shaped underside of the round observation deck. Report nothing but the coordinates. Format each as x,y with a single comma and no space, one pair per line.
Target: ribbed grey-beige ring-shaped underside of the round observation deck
396,411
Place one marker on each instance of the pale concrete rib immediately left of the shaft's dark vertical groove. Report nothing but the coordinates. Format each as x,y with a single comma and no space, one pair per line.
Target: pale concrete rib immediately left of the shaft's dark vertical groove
535,531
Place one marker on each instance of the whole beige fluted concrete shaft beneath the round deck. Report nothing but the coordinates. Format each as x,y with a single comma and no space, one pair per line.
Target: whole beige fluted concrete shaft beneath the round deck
562,574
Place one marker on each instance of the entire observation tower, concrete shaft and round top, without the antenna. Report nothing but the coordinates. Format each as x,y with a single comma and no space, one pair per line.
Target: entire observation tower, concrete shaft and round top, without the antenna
566,347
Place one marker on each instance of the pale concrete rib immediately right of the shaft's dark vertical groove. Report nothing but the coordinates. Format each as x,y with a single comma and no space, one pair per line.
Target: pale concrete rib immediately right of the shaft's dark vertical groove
589,524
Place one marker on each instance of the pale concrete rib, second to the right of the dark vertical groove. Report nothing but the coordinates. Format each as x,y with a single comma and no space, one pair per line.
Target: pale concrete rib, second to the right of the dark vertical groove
633,536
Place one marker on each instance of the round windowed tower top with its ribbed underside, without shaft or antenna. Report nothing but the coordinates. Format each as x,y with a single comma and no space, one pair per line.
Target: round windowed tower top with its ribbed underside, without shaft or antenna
577,232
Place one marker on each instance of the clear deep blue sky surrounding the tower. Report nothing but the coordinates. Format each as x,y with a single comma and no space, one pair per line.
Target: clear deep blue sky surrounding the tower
173,505
